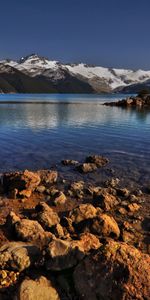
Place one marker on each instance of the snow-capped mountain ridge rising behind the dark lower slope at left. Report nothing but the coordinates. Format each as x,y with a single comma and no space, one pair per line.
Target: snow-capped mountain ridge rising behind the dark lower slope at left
76,77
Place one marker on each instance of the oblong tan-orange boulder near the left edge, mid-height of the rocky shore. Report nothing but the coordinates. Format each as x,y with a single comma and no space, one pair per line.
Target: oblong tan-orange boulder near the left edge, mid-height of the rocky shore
31,231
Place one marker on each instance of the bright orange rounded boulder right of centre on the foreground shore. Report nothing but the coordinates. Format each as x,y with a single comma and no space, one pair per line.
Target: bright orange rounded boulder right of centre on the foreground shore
105,225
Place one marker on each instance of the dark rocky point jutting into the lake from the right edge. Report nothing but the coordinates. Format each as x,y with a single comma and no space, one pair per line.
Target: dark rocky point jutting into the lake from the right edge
137,101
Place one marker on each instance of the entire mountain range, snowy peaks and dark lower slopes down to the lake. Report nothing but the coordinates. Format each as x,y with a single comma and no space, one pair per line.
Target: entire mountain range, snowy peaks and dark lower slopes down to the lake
37,74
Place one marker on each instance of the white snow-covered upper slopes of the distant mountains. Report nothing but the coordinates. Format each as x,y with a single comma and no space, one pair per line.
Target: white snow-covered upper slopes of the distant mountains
99,78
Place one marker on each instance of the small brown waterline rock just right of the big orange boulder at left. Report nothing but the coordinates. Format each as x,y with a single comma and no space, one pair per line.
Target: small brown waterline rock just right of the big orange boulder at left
48,176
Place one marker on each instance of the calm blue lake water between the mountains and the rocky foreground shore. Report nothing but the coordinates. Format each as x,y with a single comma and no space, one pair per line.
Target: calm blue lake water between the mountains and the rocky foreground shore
40,130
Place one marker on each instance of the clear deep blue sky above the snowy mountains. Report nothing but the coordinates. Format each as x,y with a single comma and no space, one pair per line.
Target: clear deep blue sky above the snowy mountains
112,33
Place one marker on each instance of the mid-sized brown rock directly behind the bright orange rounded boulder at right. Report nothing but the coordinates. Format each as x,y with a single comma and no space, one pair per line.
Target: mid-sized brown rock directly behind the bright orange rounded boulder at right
105,200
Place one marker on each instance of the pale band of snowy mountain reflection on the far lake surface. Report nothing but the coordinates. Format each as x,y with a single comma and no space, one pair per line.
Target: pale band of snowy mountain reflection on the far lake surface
38,116
